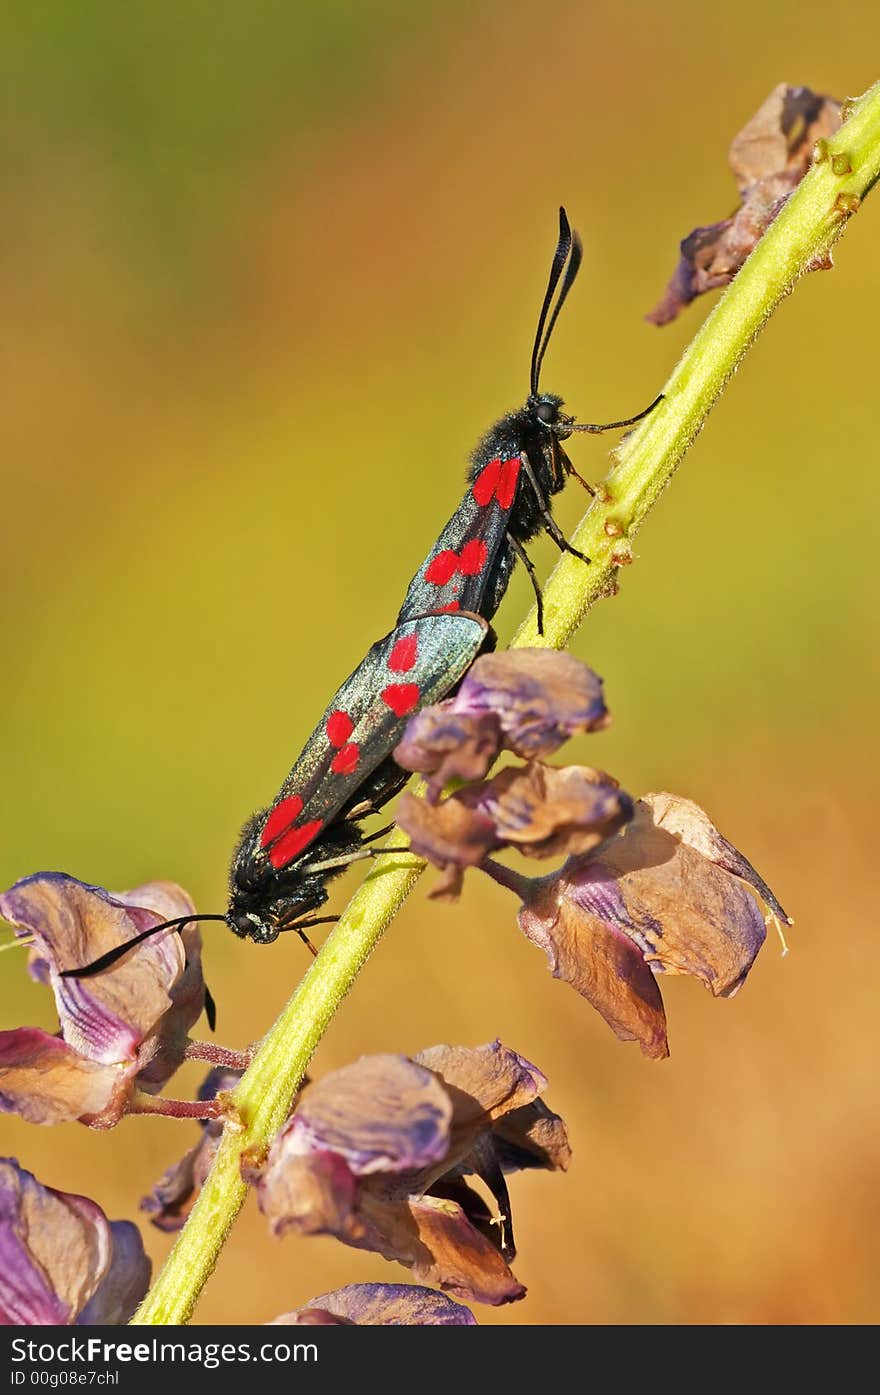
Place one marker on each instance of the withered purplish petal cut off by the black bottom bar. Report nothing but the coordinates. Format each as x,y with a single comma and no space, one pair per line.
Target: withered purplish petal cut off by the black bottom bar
381,1305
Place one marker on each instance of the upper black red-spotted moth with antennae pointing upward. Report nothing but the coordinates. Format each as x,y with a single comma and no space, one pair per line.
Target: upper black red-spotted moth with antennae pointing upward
515,471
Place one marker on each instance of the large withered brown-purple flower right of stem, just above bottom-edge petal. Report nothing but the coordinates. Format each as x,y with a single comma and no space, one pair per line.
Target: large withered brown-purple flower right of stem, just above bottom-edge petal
377,1154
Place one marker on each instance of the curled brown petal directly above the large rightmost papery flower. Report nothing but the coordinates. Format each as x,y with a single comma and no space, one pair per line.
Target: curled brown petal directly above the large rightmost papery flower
550,811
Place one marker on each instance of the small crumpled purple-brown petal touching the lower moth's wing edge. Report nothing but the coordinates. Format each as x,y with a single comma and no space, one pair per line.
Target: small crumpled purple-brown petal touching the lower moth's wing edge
448,746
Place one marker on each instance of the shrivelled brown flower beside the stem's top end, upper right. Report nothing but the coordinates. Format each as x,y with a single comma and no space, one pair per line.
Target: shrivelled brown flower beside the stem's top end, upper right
769,160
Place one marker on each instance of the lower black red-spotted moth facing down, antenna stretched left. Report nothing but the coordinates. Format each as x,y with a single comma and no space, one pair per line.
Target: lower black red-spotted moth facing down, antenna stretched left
291,850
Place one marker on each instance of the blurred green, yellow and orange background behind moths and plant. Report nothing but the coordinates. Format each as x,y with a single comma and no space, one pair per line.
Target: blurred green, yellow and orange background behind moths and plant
267,276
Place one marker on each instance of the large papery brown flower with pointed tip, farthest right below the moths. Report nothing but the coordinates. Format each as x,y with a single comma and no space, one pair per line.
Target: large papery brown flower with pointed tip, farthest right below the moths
669,895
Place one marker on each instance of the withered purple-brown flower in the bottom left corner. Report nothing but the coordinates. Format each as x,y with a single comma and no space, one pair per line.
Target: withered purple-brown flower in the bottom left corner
62,1262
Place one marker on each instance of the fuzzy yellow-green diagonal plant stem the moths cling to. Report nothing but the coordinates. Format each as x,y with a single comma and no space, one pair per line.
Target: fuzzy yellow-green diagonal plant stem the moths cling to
644,465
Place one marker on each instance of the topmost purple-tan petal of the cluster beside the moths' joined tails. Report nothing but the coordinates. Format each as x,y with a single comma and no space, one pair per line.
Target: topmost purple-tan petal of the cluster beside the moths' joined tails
540,697
